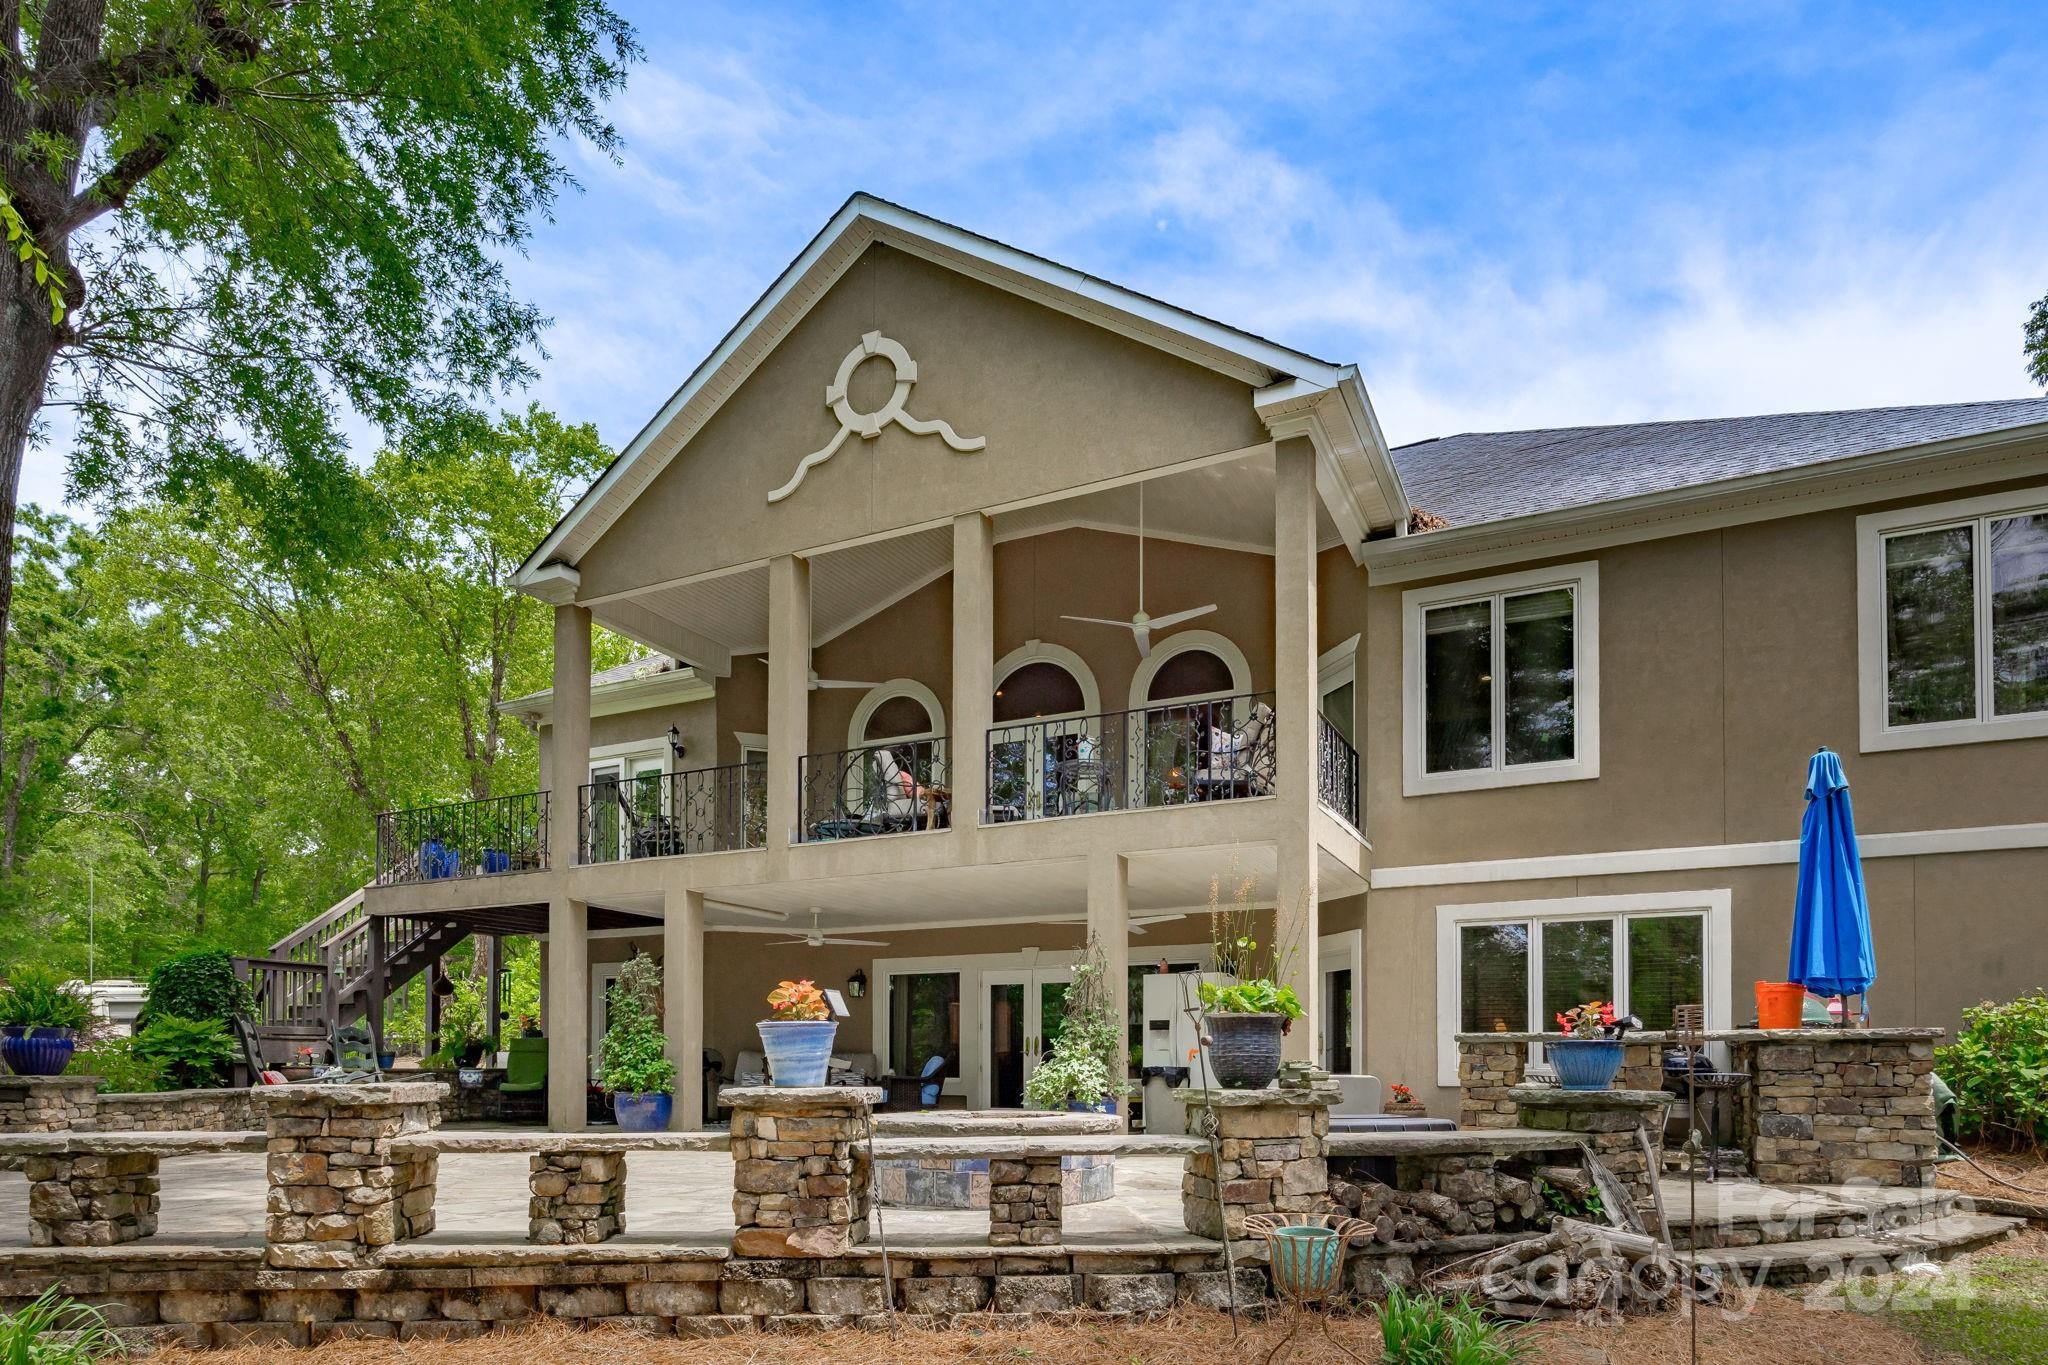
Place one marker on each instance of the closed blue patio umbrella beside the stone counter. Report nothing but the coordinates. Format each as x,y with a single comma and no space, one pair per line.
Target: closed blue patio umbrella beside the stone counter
1832,953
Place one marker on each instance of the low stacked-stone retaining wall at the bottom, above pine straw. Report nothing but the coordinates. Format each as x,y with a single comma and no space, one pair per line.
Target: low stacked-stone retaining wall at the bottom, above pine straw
230,1298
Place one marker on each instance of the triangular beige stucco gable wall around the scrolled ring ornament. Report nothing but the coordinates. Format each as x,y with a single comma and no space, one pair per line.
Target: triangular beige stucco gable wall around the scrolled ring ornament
1060,402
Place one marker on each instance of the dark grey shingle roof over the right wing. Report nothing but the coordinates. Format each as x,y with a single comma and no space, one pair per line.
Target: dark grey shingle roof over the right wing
1496,476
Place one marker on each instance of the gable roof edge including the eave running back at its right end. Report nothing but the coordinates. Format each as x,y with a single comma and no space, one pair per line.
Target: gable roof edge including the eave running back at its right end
1295,388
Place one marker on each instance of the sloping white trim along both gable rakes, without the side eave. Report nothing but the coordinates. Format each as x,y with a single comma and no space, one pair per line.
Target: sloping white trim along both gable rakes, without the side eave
859,222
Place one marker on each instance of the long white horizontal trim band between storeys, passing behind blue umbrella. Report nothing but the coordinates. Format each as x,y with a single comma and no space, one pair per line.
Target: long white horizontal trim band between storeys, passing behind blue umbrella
1705,856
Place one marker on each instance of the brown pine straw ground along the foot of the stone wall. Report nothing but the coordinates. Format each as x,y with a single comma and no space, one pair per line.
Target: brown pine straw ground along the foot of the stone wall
1781,1331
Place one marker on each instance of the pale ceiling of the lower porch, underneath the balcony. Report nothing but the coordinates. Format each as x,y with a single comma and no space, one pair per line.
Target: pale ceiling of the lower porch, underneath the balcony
994,893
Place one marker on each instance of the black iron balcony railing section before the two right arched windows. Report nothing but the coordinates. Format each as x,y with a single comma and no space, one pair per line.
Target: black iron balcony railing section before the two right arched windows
1134,760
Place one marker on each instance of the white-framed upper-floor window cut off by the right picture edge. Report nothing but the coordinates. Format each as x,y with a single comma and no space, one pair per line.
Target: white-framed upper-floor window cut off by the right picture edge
1953,621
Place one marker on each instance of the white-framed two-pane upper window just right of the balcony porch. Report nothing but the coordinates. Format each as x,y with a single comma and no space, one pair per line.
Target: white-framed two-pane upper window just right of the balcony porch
1500,680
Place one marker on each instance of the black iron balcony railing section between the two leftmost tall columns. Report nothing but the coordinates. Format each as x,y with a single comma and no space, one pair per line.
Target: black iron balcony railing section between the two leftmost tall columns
665,816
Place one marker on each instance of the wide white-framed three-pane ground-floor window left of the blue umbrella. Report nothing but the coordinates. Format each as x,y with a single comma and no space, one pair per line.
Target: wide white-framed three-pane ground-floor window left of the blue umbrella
1512,967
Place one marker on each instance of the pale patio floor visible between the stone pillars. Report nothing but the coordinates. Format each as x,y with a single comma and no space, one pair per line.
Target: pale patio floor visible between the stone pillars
673,1198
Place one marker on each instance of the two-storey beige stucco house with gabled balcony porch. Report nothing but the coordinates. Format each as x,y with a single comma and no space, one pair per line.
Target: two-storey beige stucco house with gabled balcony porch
994,607
